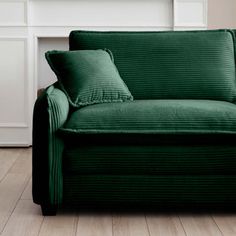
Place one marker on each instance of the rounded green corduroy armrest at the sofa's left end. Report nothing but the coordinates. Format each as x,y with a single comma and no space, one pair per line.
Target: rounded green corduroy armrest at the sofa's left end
50,113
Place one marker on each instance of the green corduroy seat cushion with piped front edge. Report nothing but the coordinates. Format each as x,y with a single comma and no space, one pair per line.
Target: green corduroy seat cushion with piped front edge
154,117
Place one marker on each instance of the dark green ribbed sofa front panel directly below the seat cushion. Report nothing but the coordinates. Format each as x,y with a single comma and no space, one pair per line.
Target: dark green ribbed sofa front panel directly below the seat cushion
150,160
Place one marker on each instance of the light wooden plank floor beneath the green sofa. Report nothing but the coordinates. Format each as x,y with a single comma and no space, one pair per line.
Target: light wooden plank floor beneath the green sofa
20,216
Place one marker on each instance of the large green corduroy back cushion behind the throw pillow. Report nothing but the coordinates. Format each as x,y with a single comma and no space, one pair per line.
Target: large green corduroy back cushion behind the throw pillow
169,65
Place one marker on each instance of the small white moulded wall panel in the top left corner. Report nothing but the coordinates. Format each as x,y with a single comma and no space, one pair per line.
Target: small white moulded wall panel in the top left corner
13,13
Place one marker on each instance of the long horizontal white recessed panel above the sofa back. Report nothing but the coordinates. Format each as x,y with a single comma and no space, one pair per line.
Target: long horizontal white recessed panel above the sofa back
101,13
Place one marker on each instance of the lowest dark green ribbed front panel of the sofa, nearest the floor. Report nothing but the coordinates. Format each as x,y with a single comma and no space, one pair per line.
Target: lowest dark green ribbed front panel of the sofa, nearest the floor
214,190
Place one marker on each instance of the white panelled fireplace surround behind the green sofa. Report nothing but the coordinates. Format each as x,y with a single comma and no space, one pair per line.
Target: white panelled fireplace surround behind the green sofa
28,28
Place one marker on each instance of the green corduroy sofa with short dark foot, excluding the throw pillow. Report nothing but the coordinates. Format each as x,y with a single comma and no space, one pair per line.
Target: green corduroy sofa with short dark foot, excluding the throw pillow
172,146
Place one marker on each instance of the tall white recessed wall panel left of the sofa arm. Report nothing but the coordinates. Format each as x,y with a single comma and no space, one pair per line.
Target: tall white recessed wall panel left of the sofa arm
13,93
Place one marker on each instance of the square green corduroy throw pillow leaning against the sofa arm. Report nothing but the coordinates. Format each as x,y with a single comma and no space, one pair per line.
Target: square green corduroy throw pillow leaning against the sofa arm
88,76
